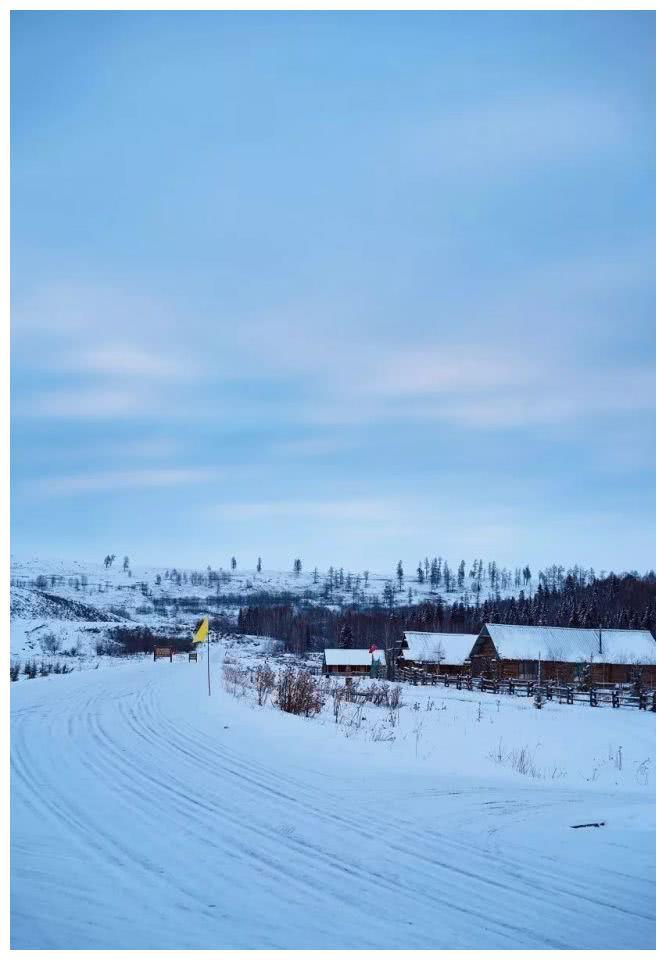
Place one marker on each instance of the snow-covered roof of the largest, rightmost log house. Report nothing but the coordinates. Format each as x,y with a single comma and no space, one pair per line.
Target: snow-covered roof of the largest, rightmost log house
571,644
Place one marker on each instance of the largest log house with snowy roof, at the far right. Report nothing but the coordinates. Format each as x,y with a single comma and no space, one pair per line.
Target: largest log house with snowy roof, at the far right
564,654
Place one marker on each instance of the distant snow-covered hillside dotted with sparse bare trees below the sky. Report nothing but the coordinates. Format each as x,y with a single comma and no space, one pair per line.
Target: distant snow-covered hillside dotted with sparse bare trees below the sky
78,601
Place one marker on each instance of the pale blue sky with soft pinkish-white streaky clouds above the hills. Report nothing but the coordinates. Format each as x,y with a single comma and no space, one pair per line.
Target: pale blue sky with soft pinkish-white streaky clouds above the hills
353,287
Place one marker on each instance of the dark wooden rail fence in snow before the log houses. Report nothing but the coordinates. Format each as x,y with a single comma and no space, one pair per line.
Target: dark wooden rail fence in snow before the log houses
615,696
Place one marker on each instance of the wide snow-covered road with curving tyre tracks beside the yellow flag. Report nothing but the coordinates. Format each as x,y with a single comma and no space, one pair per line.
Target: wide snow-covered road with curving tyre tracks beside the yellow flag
146,815
